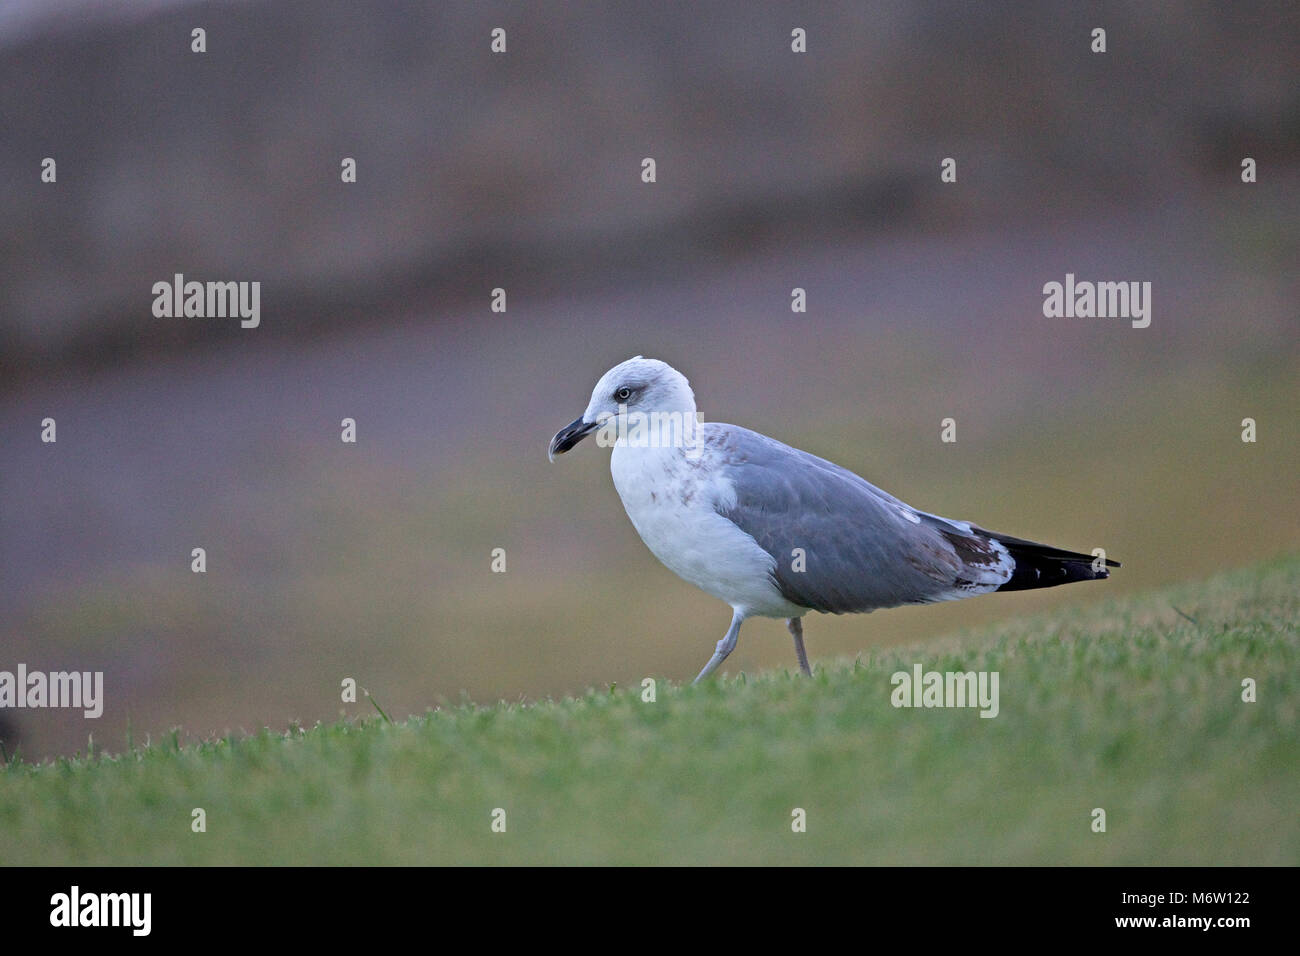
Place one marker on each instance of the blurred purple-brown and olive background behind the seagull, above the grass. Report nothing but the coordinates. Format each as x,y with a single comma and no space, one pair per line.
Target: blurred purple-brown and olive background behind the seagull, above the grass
523,171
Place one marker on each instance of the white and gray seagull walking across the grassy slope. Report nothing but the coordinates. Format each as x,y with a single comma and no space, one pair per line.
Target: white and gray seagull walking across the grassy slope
777,533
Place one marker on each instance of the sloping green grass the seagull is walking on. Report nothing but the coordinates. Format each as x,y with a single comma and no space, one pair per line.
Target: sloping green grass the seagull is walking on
1125,704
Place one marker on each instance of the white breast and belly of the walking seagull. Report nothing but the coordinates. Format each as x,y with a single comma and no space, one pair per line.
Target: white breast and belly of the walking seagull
671,503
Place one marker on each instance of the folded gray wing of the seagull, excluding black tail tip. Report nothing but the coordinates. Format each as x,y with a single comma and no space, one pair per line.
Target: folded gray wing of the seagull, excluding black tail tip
863,548
